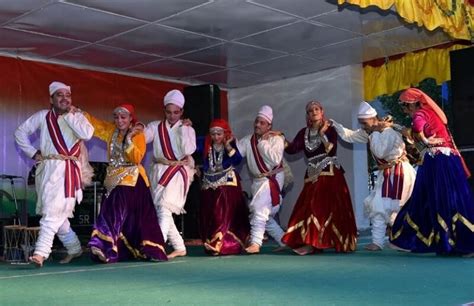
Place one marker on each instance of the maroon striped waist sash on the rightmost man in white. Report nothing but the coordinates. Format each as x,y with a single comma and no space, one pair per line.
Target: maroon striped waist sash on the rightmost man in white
389,189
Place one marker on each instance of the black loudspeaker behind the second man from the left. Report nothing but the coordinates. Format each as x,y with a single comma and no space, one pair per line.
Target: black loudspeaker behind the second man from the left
202,105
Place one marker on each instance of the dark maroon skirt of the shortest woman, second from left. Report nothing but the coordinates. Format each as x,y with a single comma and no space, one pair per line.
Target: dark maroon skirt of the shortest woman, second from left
224,220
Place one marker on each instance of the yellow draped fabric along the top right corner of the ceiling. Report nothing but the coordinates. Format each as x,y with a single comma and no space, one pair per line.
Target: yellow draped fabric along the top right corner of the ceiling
455,17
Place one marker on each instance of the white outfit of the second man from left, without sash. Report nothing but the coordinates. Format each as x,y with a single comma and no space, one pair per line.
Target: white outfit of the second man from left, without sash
171,199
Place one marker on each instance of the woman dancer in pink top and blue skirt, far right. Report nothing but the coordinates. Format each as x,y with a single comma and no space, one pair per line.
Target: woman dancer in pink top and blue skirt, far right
439,216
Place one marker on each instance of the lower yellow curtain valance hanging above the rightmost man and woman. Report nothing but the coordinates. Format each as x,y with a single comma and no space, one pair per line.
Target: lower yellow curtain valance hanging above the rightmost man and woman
408,71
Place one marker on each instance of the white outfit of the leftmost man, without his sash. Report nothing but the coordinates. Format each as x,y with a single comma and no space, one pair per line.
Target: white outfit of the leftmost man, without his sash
52,204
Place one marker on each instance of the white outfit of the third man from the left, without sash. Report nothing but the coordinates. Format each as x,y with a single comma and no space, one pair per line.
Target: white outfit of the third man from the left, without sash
261,209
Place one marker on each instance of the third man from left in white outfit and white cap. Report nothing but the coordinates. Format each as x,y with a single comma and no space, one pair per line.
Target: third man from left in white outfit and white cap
264,153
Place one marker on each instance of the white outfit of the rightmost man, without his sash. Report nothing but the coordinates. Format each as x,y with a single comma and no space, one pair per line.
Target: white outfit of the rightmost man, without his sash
389,146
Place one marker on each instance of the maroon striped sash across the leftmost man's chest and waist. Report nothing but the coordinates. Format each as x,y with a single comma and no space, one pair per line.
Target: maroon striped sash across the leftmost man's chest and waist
72,180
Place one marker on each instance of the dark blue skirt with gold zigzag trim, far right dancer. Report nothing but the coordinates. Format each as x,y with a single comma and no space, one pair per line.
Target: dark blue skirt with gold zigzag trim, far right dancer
439,215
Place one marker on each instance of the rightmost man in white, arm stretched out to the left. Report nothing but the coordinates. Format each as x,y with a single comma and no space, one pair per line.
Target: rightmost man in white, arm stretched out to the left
395,178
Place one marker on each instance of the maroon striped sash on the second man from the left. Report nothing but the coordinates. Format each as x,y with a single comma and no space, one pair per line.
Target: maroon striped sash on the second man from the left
169,155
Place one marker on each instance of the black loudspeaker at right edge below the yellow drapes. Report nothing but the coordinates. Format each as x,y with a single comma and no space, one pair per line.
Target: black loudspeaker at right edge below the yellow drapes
462,86
